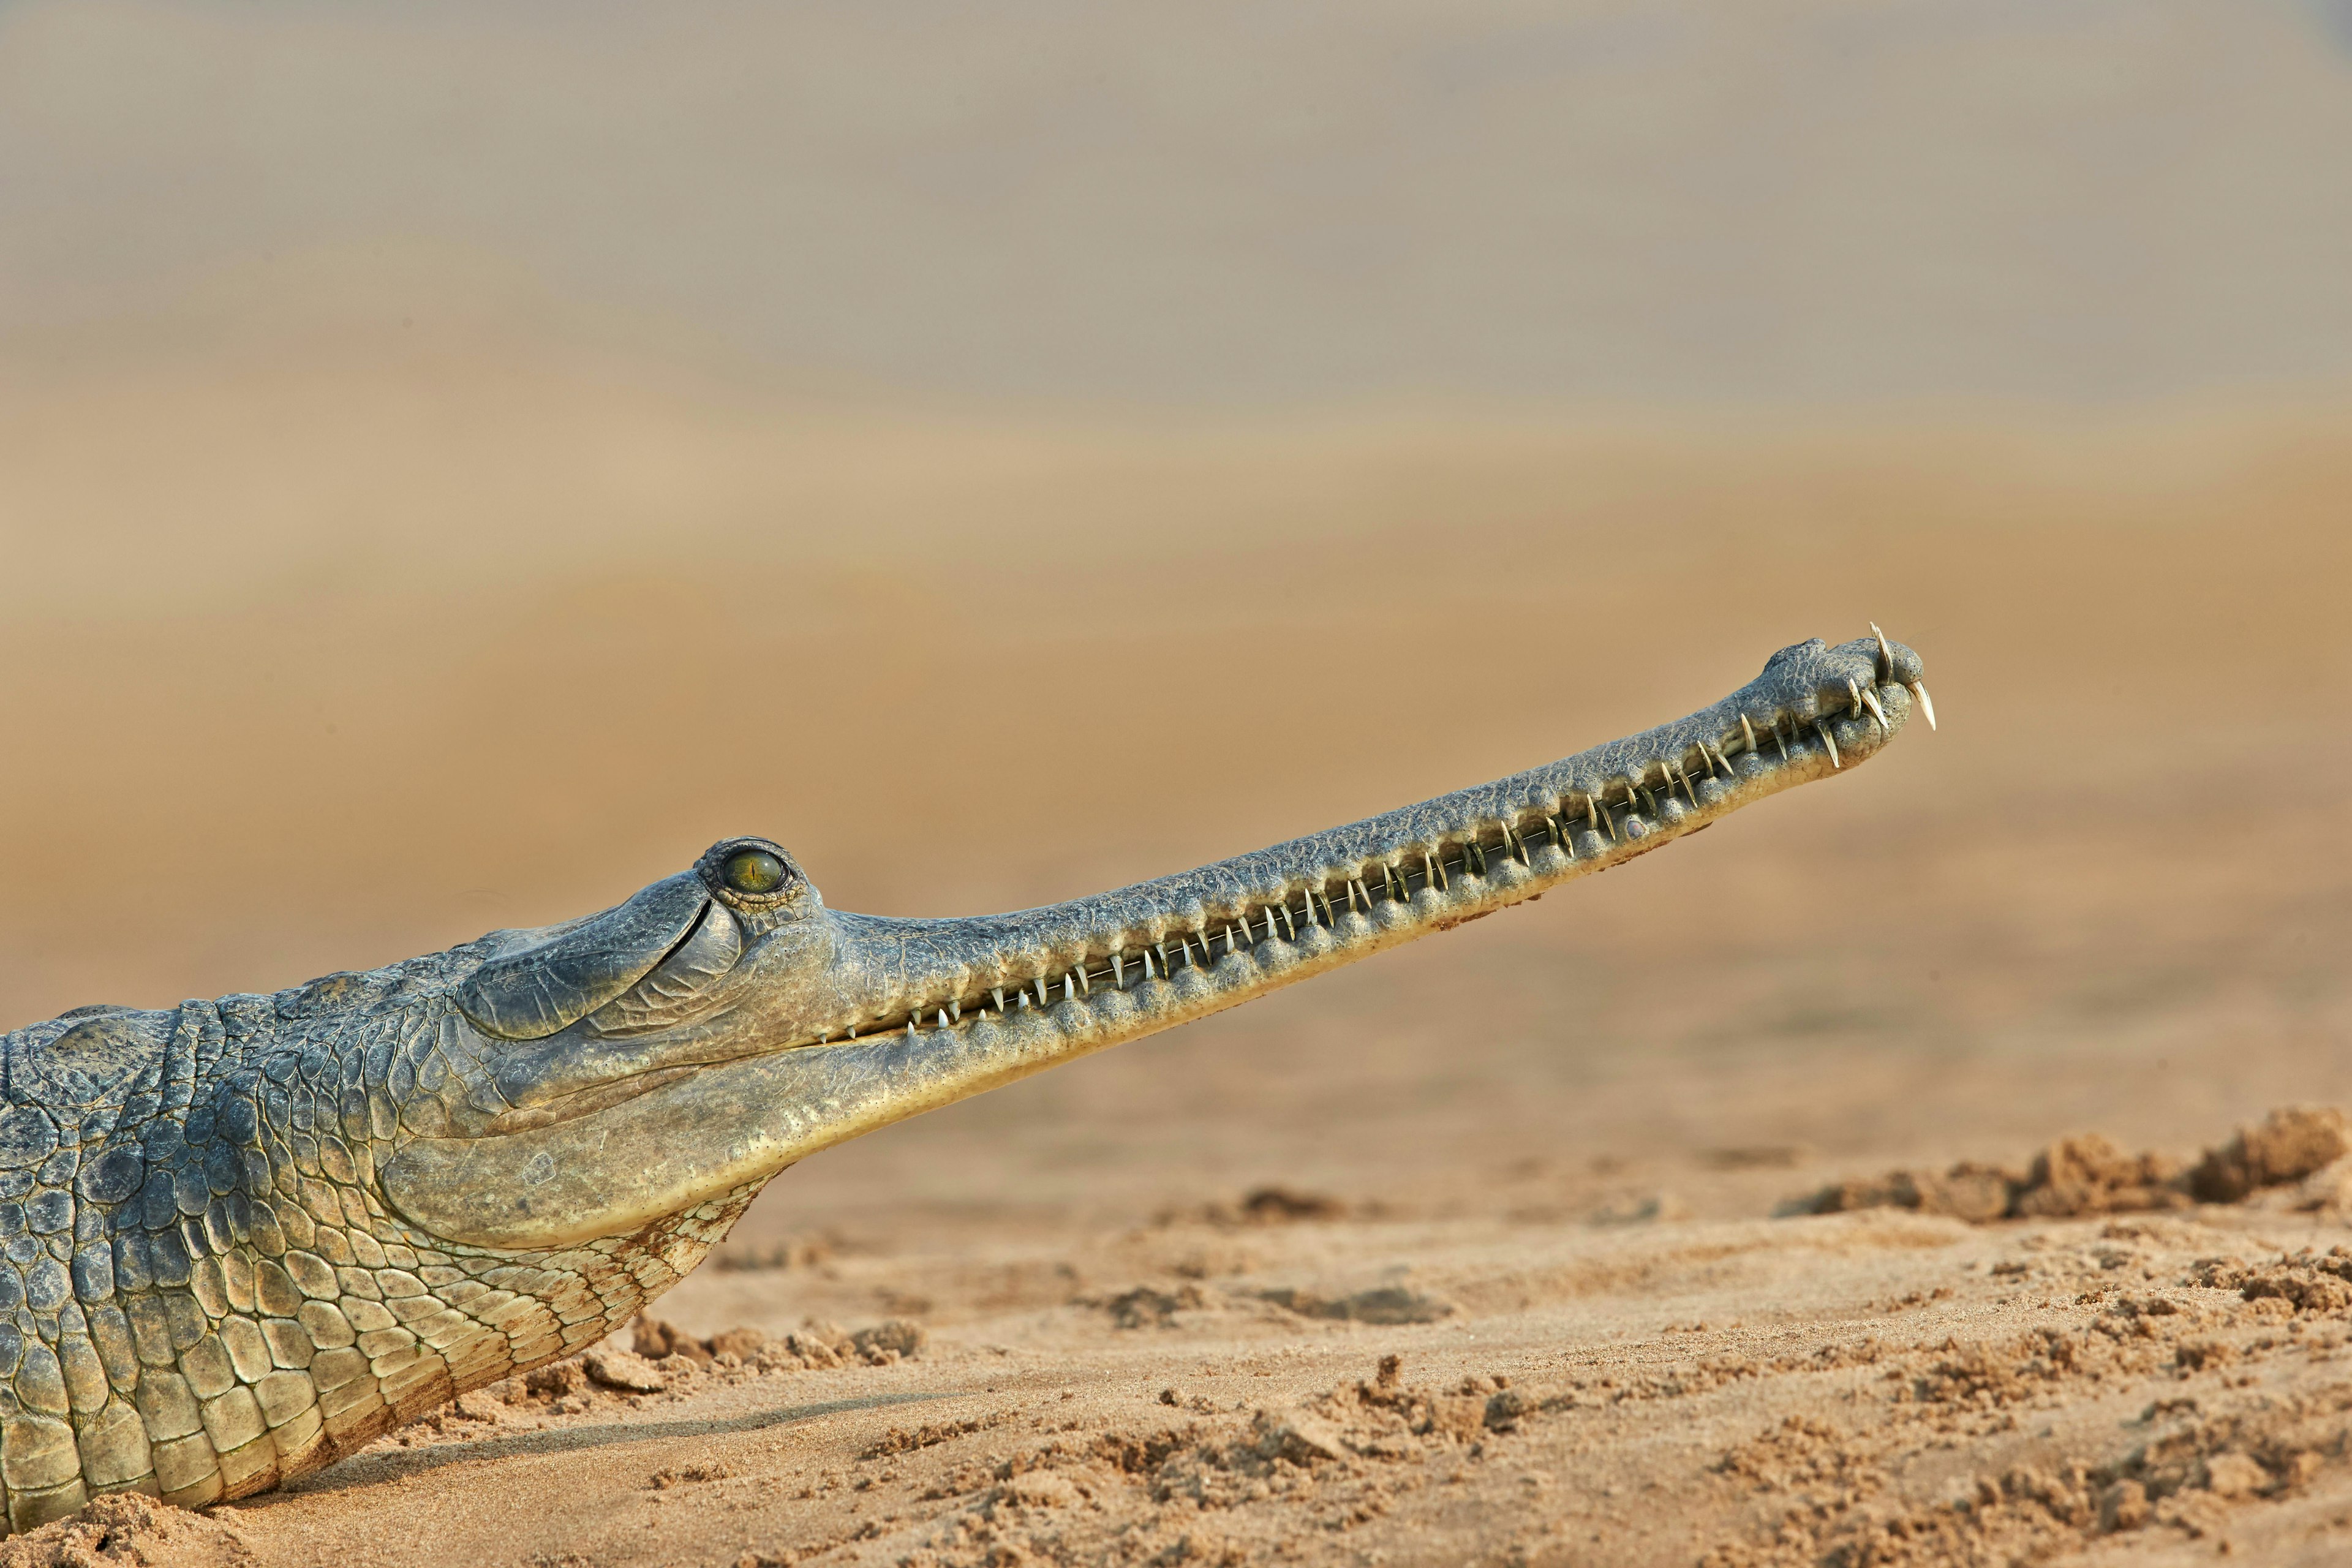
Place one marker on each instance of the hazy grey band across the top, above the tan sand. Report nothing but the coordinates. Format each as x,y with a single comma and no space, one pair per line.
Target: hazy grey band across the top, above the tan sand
1810,203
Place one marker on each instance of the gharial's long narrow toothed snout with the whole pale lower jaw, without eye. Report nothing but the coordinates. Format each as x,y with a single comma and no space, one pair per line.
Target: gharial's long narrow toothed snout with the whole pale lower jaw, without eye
914,1014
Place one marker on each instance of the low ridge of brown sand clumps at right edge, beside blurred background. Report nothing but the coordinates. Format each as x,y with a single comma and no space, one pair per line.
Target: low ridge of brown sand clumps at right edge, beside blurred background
2085,1174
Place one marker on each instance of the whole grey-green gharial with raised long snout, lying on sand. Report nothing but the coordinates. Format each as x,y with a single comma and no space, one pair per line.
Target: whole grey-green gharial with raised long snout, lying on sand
246,1238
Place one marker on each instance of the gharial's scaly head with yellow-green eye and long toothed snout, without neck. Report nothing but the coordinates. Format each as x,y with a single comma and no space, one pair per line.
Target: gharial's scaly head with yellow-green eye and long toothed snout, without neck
726,1024
